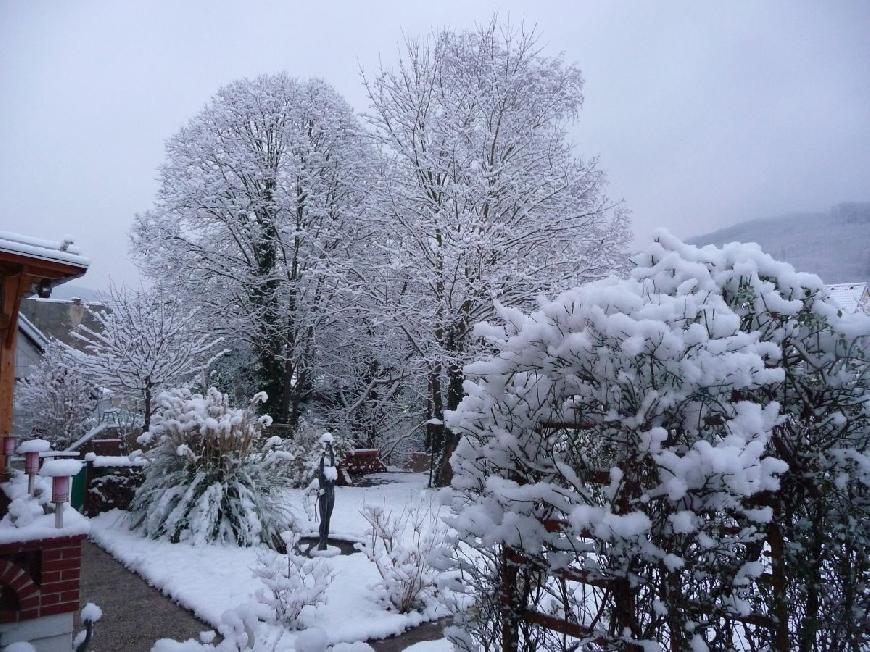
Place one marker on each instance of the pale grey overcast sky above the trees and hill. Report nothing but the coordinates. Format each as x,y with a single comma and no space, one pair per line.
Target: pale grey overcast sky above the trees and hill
703,114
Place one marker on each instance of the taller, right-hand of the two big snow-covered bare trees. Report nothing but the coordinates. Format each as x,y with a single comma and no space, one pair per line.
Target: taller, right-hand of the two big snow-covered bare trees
485,198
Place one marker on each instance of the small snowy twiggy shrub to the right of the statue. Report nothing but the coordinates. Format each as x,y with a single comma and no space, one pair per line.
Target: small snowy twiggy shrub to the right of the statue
401,546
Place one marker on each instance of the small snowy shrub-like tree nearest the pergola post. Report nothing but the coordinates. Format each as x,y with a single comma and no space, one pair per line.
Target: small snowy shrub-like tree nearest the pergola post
57,401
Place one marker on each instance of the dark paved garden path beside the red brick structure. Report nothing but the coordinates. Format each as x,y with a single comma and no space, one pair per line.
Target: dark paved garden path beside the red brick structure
135,614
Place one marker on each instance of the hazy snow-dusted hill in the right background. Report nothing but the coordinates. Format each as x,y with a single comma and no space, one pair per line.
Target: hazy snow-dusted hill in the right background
835,245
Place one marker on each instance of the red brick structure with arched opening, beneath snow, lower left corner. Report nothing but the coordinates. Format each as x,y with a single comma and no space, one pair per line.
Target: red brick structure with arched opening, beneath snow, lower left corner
40,578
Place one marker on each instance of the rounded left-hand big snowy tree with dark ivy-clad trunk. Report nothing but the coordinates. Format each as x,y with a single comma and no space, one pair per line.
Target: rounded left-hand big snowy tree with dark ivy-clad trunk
260,208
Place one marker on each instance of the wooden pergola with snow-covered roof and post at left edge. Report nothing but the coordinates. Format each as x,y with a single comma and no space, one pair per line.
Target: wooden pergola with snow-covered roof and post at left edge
27,266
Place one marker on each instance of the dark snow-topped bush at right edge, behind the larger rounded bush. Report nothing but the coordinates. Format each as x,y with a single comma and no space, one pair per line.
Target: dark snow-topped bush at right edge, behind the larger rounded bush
818,518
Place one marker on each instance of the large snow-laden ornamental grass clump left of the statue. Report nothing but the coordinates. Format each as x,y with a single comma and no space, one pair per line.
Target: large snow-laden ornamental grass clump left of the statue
212,475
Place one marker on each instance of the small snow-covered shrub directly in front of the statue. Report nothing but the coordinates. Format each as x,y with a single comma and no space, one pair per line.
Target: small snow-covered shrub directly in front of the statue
292,582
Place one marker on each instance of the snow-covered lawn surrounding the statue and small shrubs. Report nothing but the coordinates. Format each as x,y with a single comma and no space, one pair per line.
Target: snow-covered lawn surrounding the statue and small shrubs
210,579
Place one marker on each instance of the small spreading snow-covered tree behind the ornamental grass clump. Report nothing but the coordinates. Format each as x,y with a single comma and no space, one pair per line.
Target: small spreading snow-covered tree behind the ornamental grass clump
145,341
